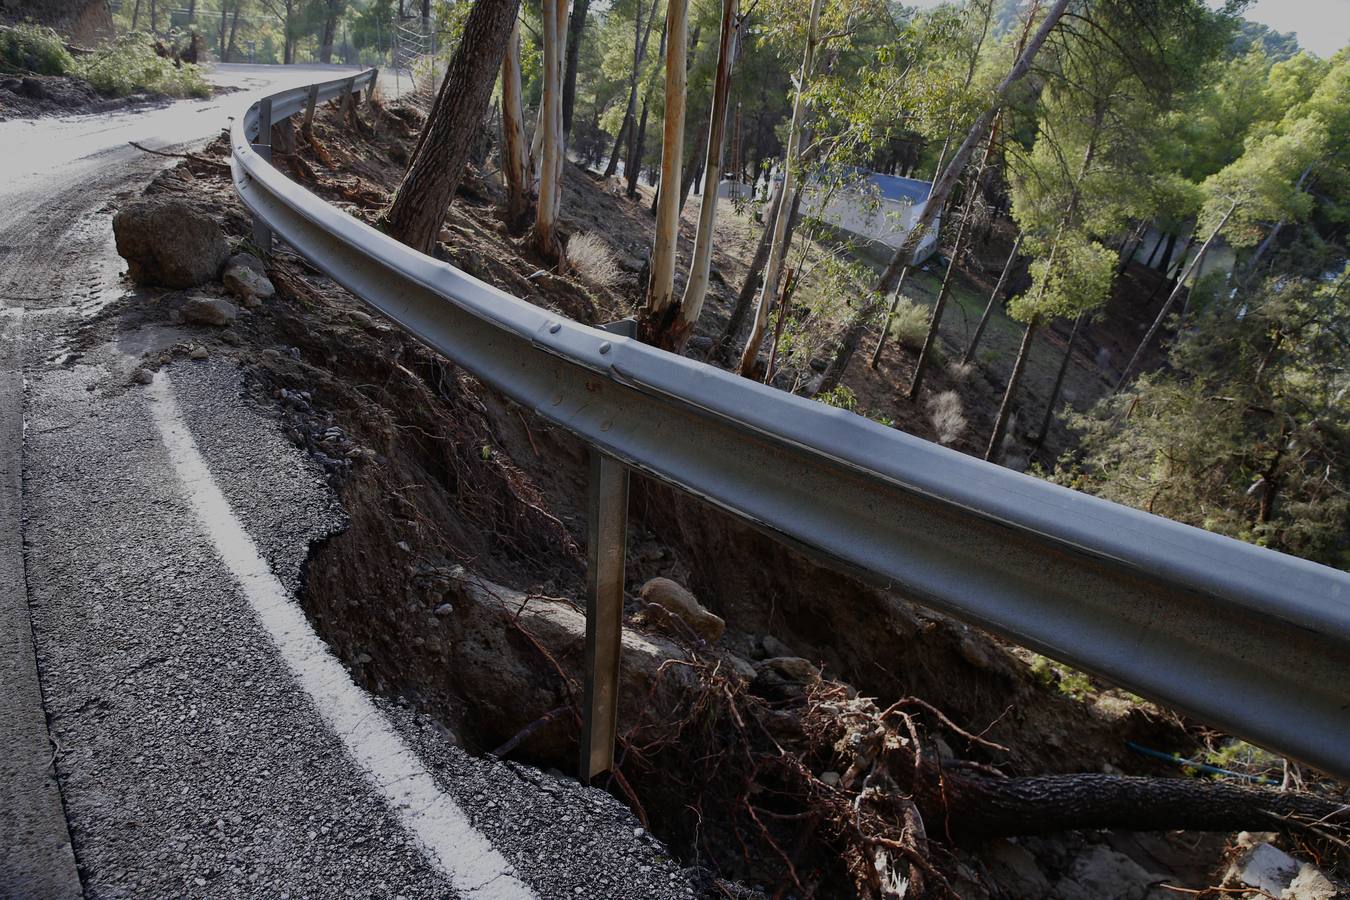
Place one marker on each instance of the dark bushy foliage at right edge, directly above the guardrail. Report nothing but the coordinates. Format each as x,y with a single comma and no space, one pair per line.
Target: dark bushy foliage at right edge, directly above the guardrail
1249,435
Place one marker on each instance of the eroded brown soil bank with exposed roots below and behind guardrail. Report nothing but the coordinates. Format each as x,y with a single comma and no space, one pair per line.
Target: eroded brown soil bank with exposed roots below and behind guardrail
835,741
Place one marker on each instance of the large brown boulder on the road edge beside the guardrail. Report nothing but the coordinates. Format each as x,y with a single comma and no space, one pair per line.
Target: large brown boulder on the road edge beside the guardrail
169,242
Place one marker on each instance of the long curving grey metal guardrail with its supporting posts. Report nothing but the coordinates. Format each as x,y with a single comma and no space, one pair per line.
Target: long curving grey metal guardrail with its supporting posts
1245,639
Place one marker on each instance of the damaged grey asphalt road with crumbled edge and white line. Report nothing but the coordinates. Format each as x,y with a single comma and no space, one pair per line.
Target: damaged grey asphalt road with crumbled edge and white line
169,723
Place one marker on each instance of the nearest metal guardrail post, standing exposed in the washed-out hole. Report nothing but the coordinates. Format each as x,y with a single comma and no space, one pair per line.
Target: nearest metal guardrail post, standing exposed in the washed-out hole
605,547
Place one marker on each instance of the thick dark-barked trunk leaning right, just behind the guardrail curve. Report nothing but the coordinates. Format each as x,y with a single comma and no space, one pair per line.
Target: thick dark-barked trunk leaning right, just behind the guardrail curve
418,210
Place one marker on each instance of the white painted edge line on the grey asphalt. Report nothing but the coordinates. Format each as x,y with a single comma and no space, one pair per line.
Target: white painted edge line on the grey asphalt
433,818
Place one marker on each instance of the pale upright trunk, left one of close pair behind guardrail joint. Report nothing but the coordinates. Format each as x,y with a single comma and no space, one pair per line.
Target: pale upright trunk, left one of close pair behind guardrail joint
661,288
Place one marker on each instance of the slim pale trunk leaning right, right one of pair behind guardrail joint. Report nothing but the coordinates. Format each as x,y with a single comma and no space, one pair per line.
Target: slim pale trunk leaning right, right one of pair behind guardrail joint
676,331
